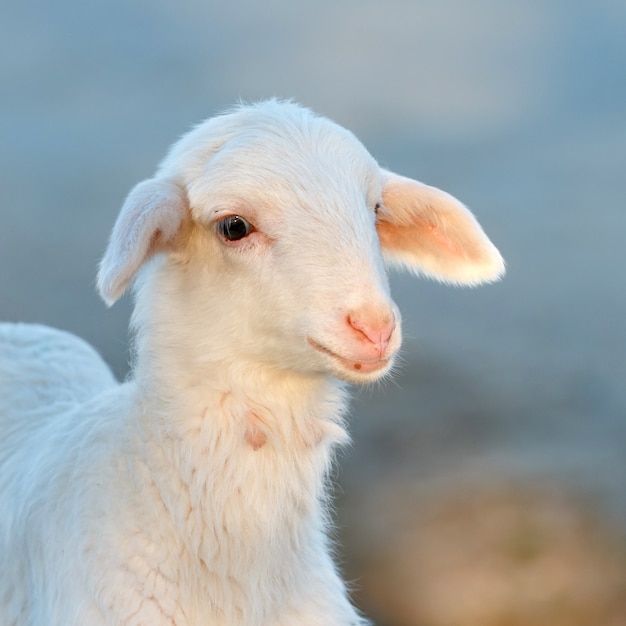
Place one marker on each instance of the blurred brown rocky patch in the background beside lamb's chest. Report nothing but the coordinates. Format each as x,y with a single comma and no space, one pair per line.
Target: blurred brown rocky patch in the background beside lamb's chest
484,553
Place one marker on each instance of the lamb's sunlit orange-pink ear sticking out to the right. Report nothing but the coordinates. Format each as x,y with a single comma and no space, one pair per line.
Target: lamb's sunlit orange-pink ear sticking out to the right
430,232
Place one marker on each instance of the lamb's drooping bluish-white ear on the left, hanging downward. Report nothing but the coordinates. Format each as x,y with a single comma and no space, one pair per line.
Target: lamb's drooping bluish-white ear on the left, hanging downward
151,216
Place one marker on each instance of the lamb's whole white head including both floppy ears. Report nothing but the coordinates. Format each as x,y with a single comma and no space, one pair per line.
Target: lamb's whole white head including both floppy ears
270,226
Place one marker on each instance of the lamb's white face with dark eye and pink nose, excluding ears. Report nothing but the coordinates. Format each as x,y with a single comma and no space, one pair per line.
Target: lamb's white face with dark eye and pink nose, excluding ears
288,221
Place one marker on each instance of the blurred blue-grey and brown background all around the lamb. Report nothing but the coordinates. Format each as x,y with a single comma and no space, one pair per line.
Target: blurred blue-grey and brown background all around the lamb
486,485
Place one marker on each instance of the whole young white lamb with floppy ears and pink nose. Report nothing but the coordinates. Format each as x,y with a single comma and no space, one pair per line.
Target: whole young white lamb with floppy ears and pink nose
195,493
